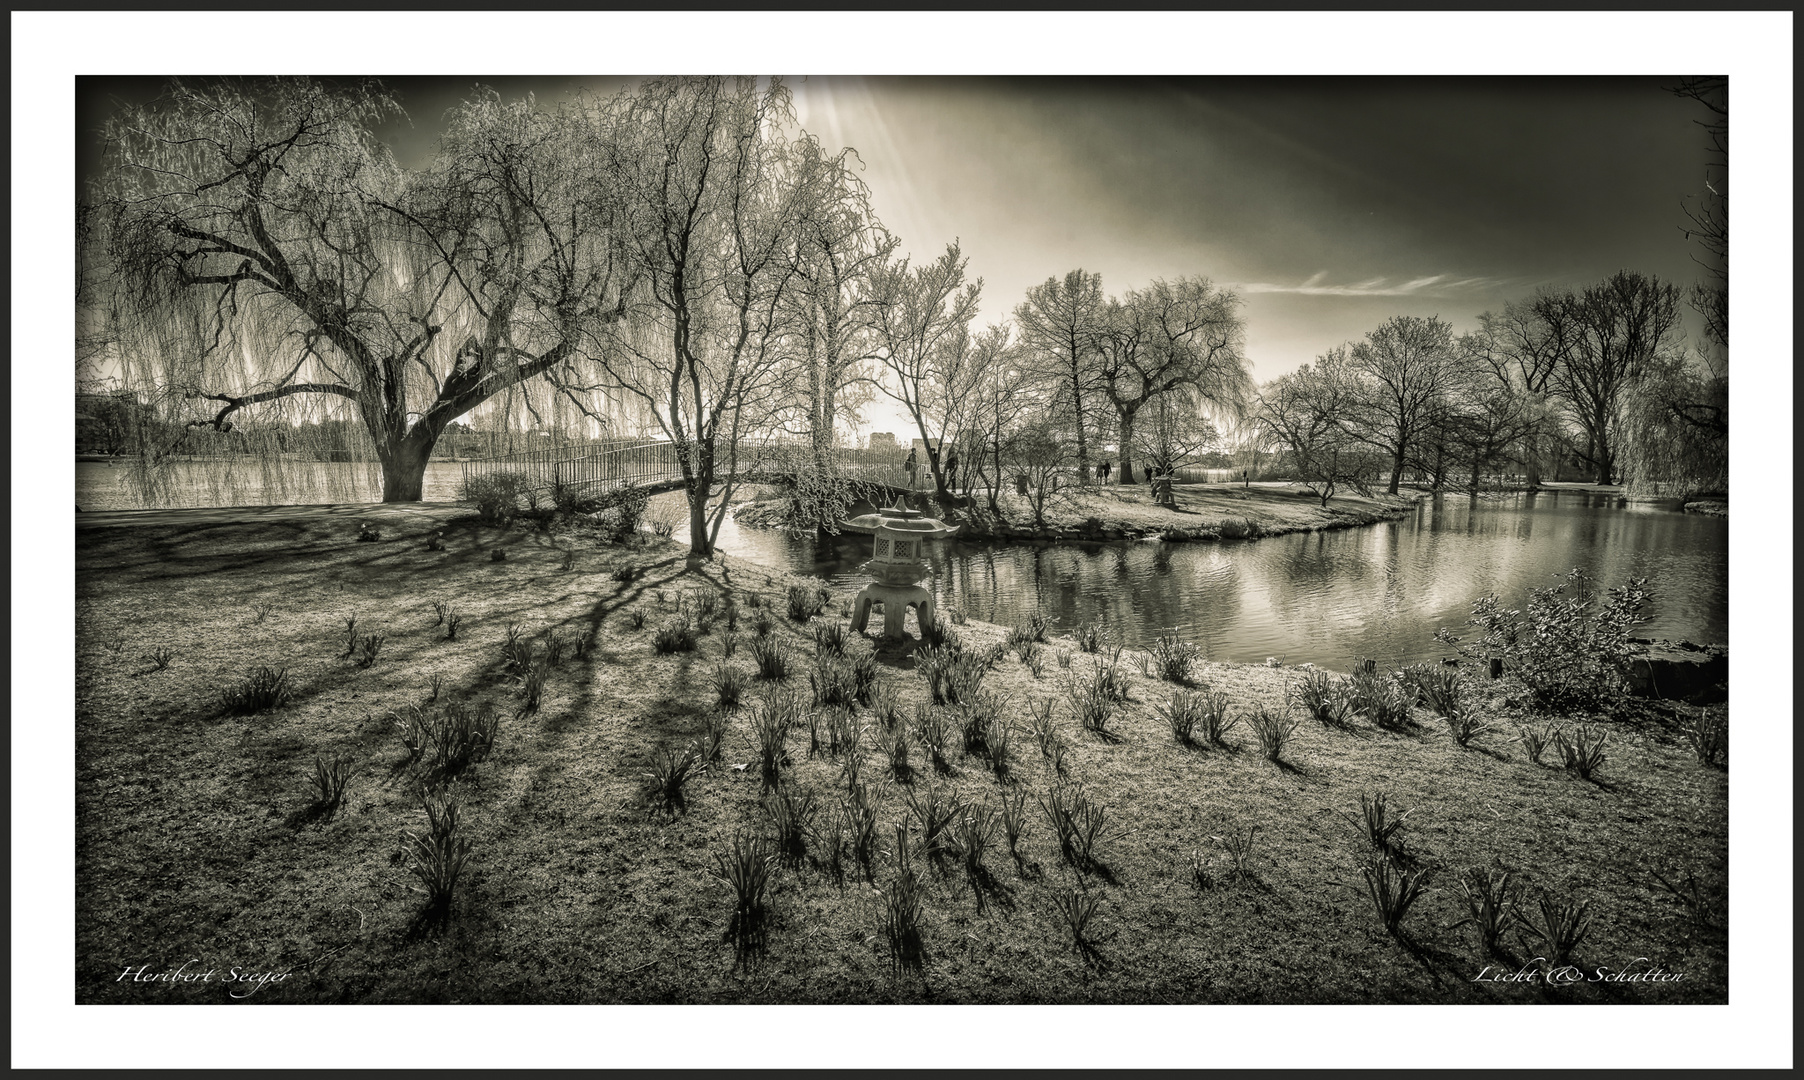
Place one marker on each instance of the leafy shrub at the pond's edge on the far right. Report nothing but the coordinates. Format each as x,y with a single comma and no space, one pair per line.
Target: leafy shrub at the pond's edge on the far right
1570,650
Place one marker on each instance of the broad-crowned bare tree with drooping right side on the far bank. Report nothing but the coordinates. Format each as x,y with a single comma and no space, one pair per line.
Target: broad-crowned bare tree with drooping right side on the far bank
1170,336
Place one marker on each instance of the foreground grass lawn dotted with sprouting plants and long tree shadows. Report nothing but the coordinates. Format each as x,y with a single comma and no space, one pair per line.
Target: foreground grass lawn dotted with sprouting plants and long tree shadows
196,834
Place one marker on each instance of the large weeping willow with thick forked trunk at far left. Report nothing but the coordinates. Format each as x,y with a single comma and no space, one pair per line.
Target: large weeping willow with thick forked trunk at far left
272,270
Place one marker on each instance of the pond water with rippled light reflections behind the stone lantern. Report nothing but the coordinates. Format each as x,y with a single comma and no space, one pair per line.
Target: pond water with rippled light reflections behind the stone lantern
1323,598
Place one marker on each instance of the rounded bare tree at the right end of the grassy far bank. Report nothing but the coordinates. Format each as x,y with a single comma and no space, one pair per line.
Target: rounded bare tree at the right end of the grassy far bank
1404,367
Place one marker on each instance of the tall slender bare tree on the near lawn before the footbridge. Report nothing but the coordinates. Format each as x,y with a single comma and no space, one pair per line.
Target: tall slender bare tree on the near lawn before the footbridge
710,203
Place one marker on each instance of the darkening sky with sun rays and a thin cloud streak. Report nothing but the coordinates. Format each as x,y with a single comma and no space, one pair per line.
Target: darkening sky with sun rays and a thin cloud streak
1329,205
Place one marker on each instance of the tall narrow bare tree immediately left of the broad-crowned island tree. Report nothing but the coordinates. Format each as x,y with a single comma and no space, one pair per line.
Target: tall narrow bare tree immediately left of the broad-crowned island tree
1060,324
